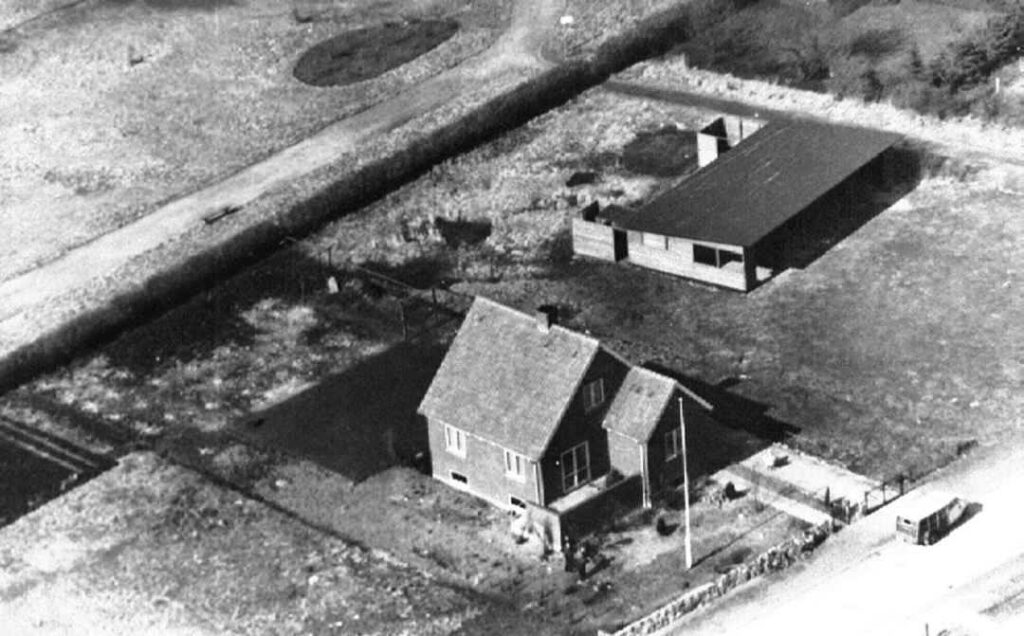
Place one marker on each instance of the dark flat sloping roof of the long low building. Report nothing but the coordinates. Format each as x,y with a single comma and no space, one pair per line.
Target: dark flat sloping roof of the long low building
759,185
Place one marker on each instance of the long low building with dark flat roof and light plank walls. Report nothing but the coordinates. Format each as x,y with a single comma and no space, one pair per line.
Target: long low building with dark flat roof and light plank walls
730,224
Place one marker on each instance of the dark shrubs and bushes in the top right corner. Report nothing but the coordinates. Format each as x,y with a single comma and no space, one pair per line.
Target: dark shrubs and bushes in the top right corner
935,58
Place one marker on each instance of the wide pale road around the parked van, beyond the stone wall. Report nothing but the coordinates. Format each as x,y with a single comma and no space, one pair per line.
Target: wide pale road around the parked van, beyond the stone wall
866,582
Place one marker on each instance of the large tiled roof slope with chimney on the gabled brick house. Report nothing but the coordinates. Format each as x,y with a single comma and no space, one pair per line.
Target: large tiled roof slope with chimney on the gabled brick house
506,380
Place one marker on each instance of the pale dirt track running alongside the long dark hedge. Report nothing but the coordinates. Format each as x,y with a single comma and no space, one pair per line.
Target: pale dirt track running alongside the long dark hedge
103,257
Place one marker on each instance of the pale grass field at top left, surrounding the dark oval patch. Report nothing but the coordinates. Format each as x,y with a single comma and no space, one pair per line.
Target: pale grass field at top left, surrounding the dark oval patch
113,108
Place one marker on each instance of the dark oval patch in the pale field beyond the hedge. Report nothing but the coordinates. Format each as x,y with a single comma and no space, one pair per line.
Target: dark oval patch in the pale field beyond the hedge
365,54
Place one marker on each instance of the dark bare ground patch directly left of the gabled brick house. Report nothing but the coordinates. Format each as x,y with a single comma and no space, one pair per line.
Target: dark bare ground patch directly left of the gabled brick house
359,422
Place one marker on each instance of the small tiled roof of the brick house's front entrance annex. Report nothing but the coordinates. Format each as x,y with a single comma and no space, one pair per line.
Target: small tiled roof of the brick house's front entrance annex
641,402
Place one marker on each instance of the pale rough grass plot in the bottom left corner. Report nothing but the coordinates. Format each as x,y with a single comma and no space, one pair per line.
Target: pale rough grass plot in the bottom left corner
154,548
